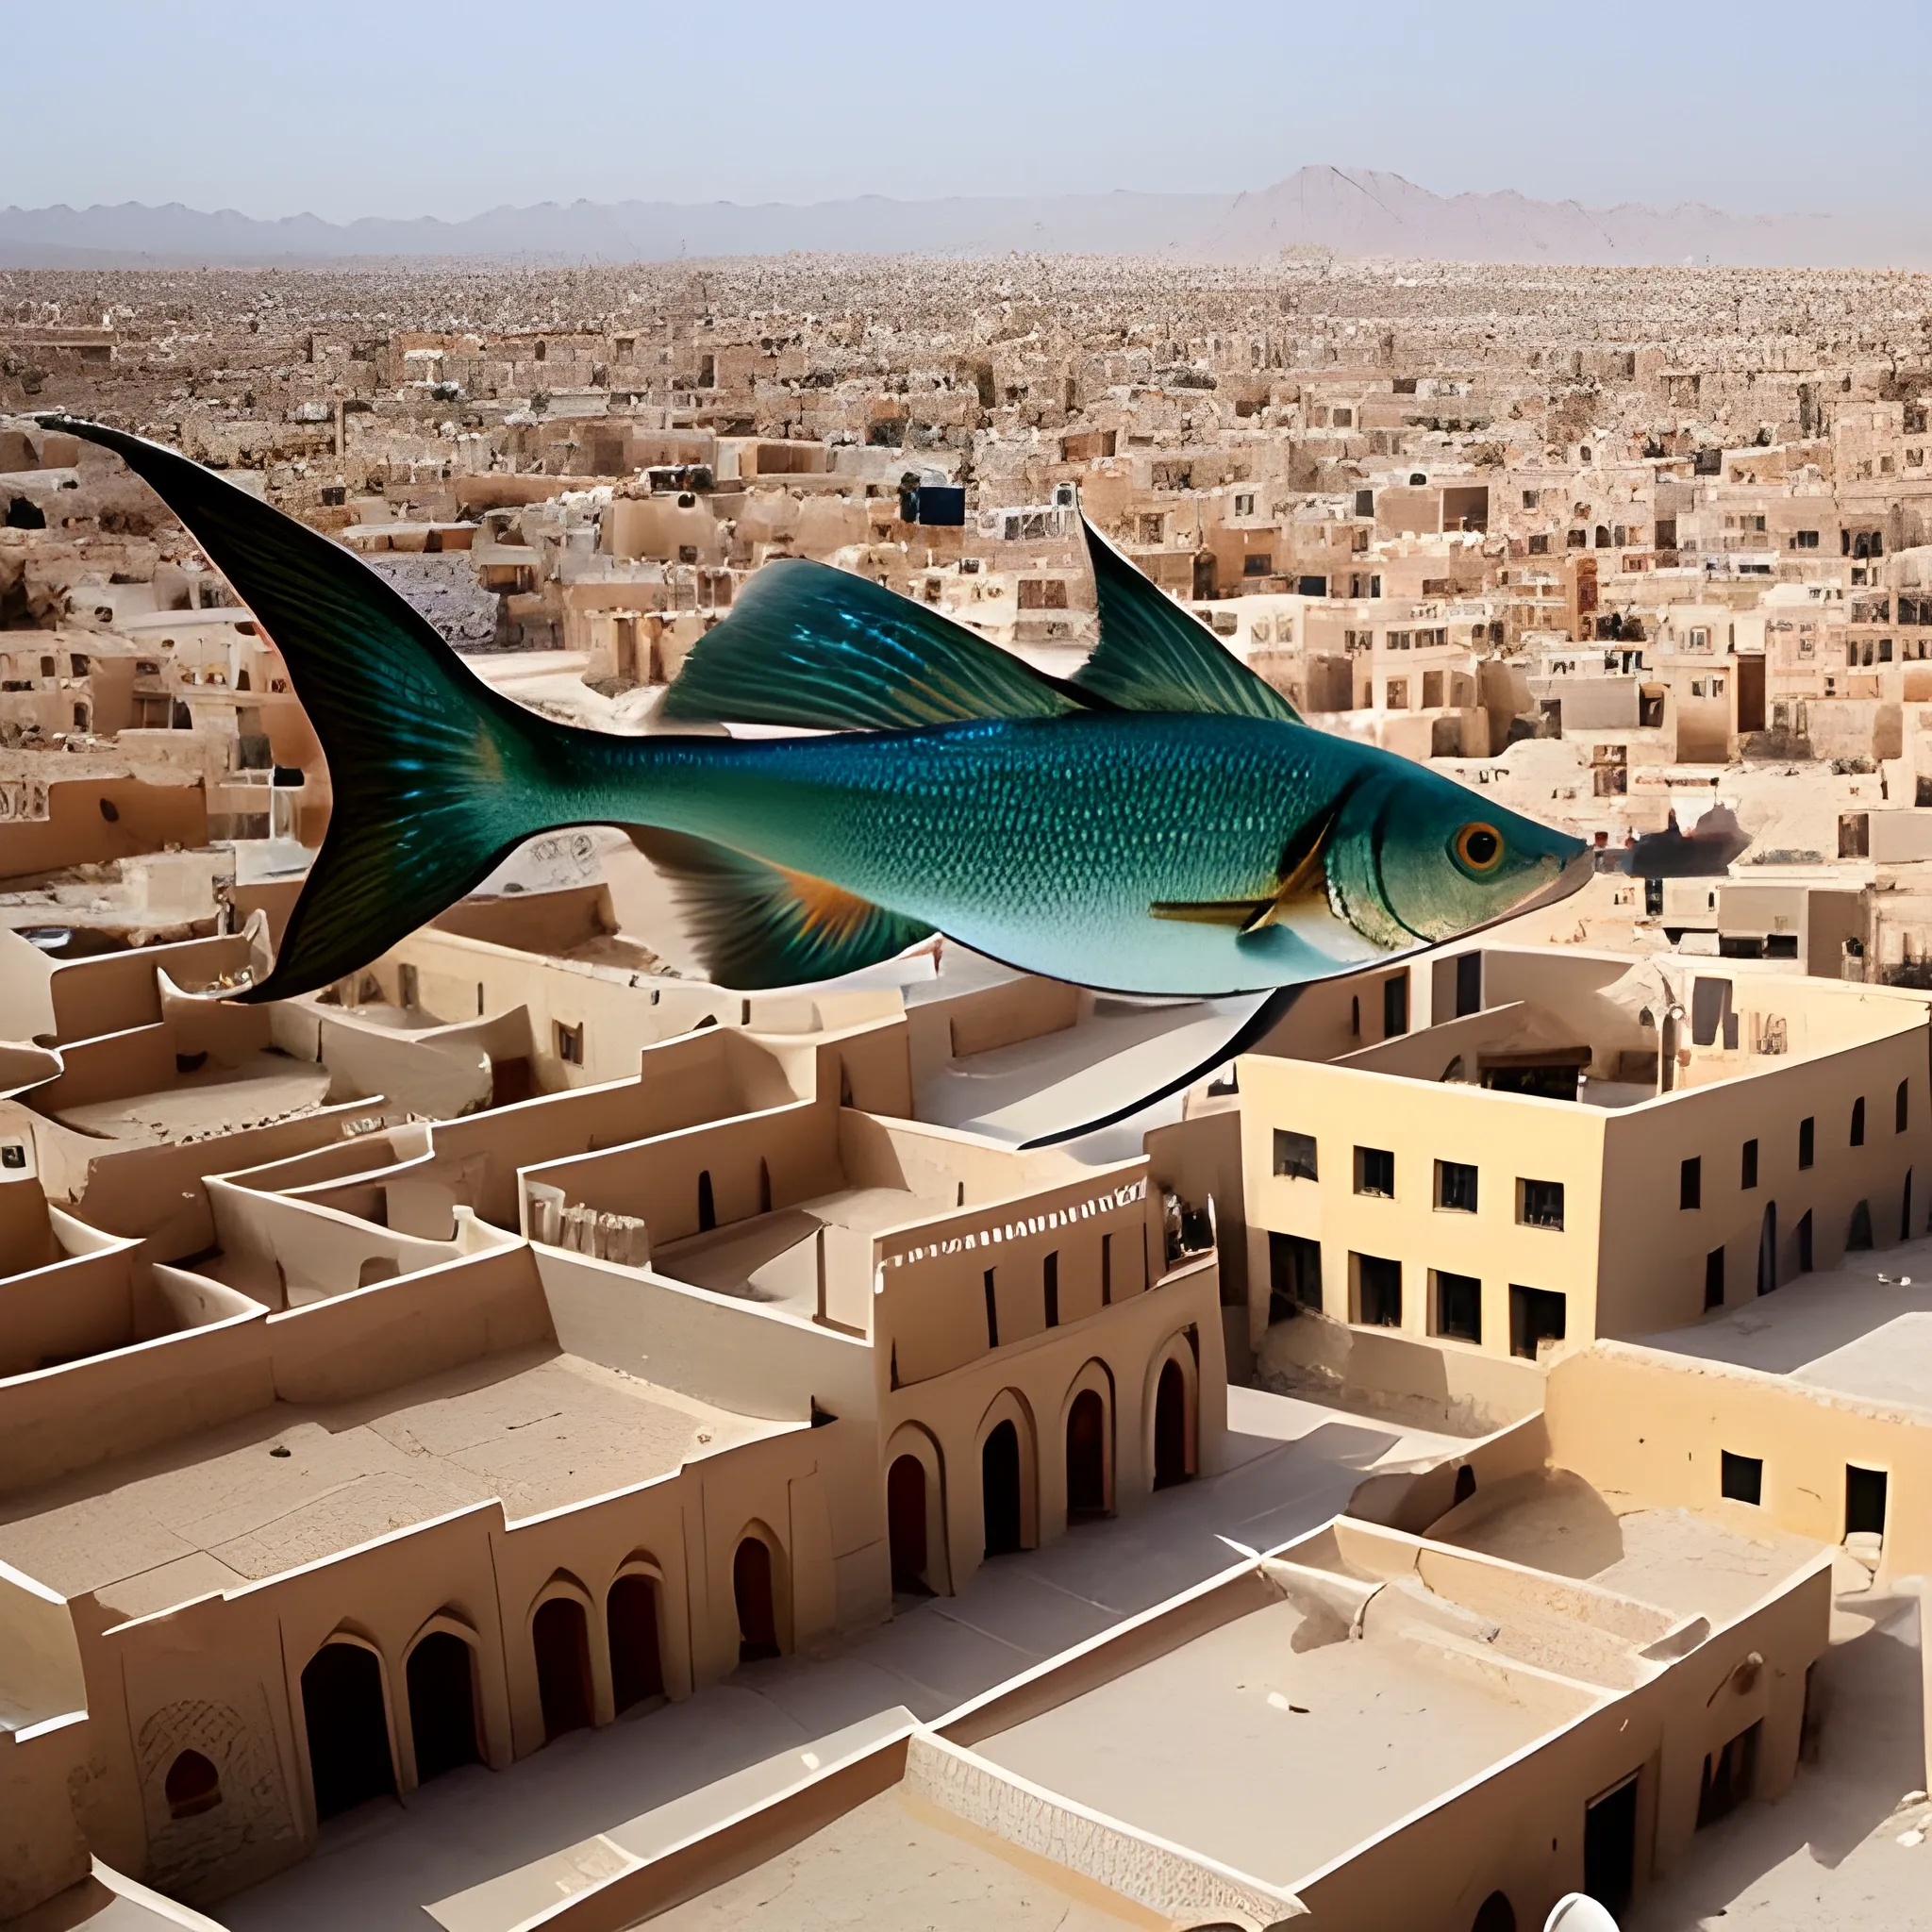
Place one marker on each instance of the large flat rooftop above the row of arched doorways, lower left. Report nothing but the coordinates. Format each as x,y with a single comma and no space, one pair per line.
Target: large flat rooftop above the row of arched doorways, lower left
538,1431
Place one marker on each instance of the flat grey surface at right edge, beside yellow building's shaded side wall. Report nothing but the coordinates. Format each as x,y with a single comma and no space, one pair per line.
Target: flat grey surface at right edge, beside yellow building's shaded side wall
1861,1330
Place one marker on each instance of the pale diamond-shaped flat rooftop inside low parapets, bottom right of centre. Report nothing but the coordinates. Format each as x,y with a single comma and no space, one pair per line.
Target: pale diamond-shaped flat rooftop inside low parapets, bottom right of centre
1274,1747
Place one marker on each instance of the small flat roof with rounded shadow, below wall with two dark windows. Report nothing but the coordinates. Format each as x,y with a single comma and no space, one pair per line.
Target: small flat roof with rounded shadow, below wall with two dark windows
1670,1558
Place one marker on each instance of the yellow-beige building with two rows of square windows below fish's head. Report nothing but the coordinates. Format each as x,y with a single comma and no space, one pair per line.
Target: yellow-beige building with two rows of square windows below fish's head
1576,1147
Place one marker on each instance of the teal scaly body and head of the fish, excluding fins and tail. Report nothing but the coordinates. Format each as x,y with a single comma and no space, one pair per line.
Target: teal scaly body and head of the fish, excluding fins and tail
1050,843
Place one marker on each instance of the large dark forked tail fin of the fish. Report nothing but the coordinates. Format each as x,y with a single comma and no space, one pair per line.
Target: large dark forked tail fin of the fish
436,778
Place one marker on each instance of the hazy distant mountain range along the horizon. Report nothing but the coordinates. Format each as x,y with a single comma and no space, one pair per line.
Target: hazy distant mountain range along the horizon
1351,212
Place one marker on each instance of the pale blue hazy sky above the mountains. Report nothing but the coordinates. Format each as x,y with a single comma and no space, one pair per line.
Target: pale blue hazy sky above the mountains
397,109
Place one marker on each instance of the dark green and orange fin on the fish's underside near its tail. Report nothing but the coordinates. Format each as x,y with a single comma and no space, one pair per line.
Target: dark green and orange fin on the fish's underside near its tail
762,926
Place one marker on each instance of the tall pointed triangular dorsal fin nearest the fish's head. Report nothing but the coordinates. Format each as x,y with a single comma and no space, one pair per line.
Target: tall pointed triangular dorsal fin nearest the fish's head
1154,658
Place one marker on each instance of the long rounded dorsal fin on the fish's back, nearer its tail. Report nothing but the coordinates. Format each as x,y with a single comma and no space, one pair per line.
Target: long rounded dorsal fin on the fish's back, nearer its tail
824,648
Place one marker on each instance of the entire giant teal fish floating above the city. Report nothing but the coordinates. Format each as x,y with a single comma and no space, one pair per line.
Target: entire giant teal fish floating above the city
1158,824
